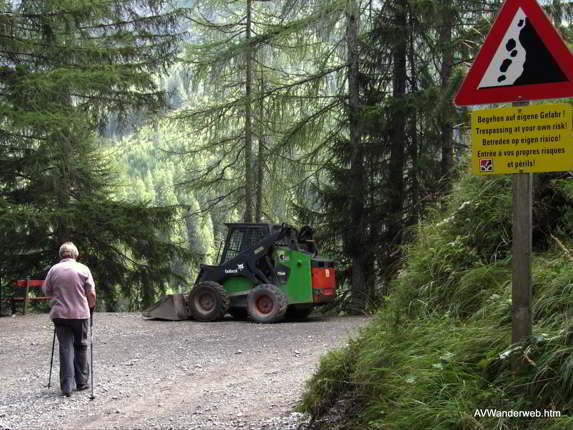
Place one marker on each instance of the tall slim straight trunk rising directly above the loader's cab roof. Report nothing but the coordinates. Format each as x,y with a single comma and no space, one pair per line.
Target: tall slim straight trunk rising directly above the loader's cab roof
249,174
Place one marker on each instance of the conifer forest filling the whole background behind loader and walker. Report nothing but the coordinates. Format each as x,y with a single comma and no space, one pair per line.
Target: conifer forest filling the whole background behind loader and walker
137,129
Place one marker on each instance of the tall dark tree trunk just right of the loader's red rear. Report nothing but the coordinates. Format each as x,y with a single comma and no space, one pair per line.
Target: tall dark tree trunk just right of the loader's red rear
357,220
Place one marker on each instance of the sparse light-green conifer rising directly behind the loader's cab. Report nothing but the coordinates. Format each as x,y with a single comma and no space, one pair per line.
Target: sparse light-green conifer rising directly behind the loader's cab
252,77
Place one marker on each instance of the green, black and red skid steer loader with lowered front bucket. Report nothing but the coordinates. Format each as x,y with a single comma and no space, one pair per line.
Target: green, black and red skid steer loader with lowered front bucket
266,272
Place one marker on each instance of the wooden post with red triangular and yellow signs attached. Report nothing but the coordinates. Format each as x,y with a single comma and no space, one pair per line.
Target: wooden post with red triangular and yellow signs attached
523,58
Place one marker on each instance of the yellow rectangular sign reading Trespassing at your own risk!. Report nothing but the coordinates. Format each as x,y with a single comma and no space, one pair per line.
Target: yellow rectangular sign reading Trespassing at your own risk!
522,139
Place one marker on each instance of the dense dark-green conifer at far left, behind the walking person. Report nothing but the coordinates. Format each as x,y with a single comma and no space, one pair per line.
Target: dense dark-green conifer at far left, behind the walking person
66,65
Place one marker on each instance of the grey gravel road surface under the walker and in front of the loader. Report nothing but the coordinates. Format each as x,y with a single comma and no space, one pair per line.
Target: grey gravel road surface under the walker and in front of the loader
167,375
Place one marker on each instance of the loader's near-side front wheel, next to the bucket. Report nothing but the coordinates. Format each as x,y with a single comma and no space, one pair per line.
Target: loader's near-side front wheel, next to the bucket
208,301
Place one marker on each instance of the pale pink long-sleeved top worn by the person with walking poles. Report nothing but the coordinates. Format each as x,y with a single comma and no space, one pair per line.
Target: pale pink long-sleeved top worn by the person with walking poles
67,283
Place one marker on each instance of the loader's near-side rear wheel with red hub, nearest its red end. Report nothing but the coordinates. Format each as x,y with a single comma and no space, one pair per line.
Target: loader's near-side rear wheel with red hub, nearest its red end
266,303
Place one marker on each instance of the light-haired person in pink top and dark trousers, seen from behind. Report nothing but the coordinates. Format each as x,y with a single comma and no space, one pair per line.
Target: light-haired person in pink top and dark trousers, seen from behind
72,288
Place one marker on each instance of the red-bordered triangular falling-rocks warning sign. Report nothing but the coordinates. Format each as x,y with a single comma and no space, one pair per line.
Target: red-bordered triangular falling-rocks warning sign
523,58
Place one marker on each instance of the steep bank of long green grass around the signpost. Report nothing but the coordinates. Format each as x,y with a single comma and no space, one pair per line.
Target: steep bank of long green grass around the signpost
439,353
